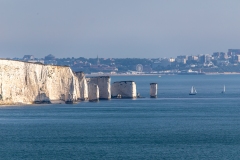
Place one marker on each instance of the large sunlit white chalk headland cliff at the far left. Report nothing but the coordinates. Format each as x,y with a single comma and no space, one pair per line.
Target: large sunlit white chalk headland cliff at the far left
23,82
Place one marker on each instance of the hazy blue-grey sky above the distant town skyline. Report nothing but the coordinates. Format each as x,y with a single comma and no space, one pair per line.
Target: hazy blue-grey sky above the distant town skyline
118,28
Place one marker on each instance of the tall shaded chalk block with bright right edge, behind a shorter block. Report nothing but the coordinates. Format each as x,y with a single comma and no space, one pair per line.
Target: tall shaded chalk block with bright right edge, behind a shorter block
104,84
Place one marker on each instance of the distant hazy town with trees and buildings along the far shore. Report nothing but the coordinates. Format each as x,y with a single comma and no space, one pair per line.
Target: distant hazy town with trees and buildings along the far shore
217,62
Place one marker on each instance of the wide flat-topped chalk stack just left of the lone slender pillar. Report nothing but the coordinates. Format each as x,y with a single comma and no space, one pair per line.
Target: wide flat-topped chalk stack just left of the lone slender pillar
127,89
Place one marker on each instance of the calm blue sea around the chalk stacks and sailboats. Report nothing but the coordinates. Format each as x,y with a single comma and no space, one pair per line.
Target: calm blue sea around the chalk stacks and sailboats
172,126
